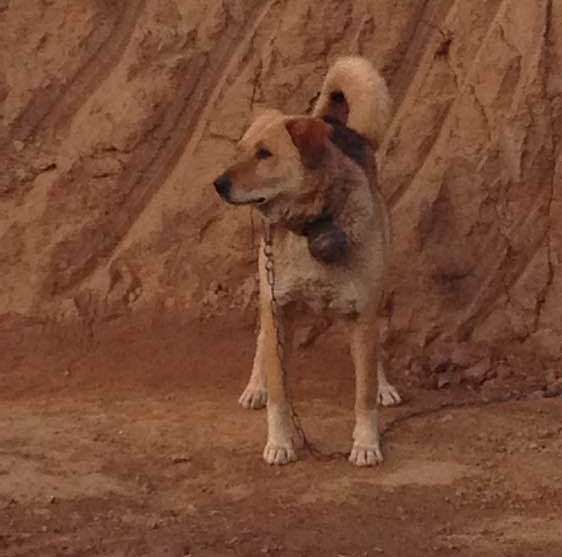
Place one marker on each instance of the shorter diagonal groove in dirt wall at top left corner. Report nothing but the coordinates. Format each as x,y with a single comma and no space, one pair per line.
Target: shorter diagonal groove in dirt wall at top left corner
104,47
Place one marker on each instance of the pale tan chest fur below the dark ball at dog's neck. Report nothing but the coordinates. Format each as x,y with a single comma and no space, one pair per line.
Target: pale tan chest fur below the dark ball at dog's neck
301,279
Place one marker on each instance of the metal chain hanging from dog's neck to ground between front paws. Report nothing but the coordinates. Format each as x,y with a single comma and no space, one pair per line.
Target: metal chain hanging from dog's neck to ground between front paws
280,344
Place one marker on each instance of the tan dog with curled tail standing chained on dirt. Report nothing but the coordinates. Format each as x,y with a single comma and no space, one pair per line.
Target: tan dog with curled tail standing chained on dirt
314,180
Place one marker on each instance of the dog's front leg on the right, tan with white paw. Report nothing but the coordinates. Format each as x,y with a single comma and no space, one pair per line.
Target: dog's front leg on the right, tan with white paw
363,343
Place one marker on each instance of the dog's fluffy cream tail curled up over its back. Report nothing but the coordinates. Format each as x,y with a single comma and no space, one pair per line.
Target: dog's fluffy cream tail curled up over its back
356,94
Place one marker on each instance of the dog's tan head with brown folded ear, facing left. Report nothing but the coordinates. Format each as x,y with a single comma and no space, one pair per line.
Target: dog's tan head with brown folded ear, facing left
274,160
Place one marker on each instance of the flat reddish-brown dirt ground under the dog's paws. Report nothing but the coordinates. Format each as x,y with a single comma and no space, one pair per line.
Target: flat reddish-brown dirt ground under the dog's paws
139,449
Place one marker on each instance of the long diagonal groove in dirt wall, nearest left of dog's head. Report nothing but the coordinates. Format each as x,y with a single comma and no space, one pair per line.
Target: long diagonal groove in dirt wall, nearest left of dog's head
175,130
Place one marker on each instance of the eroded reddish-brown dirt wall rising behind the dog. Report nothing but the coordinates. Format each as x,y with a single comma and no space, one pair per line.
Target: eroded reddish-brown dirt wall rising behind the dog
115,116
